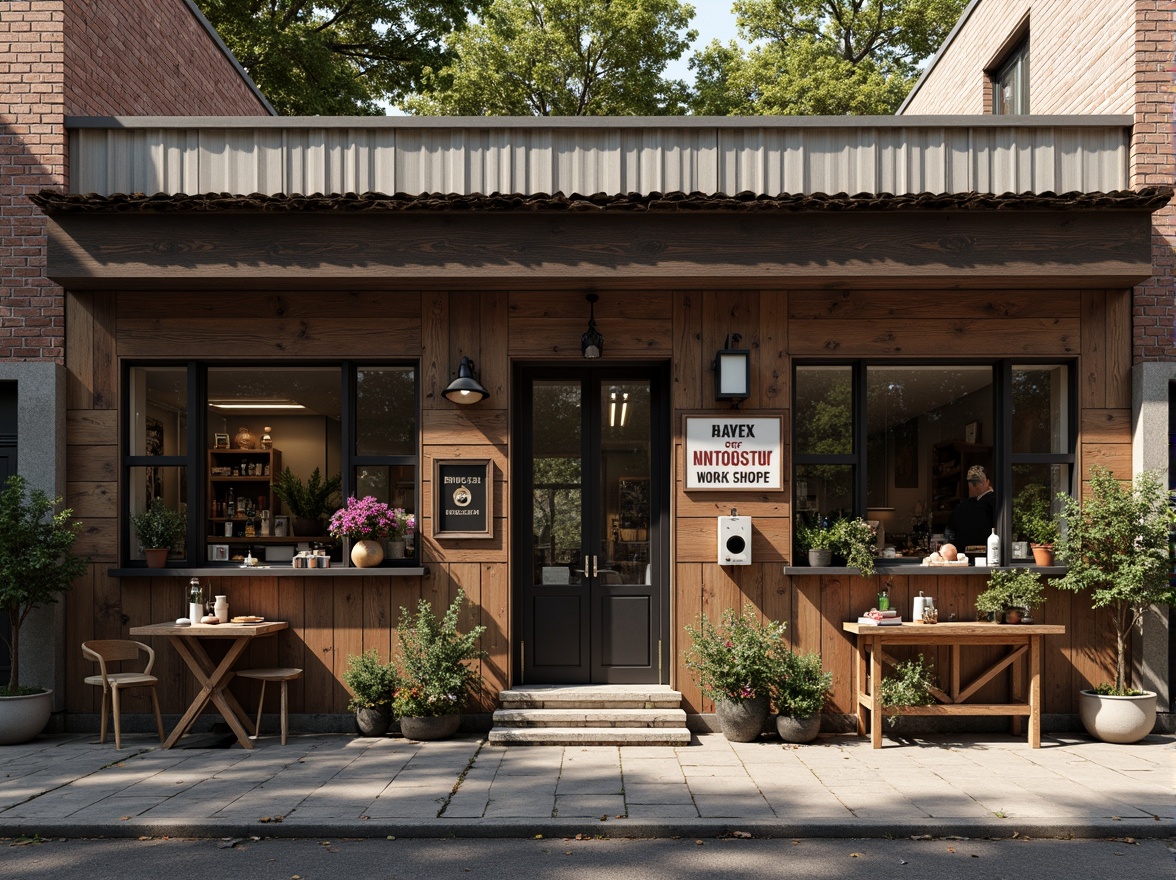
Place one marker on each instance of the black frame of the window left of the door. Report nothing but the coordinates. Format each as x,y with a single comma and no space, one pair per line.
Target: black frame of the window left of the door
196,462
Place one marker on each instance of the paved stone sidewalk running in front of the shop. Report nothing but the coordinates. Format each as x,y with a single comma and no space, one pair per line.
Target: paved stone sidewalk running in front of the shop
352,786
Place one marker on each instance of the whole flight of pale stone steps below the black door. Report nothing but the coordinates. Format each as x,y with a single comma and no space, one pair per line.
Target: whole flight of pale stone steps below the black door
591,715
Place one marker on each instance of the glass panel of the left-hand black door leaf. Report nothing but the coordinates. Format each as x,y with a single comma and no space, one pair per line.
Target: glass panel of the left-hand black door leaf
557,518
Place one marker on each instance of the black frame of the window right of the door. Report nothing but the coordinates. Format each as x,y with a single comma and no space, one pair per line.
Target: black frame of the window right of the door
1004,456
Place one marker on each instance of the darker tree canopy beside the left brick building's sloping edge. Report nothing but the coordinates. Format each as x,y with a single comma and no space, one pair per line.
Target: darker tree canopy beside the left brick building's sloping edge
337,57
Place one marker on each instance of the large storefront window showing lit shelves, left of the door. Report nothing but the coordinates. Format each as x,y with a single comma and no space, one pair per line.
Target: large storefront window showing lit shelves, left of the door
238,451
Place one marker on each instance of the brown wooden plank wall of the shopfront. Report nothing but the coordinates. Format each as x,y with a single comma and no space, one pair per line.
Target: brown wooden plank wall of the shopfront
333,617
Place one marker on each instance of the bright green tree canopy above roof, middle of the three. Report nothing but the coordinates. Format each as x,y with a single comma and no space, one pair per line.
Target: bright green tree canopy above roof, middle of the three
563,58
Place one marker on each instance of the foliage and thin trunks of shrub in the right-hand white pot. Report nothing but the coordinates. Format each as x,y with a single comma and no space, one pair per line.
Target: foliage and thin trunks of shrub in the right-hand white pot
1115,546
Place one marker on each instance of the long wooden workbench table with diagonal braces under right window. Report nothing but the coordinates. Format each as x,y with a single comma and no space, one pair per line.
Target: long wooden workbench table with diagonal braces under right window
1024,643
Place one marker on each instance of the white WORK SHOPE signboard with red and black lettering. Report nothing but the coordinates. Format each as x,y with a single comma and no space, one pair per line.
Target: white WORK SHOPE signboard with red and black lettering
734,454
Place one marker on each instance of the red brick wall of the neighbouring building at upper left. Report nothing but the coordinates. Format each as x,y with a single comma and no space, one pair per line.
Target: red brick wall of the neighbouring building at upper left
85,58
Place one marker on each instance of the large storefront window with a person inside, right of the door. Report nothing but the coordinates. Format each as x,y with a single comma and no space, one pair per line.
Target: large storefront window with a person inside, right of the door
905,445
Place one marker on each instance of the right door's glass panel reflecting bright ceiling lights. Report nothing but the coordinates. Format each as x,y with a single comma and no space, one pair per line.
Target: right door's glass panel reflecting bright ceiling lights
625,417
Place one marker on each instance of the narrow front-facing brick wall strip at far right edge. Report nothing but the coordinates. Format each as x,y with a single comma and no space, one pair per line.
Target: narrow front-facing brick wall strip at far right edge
1153,162
